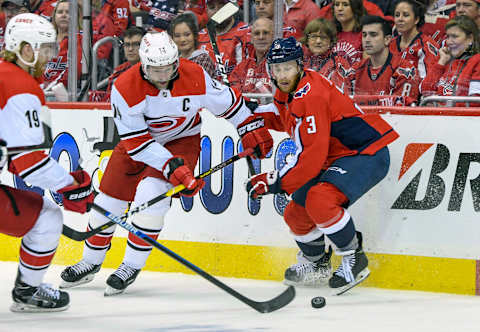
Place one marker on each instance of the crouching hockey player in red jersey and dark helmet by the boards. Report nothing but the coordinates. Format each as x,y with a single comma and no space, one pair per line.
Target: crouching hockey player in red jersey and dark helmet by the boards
341,153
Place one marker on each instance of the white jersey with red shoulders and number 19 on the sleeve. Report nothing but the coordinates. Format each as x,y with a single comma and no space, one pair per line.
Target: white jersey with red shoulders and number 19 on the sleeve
21,101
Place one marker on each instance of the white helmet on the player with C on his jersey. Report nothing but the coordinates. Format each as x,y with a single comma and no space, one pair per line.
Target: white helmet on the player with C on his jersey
158,50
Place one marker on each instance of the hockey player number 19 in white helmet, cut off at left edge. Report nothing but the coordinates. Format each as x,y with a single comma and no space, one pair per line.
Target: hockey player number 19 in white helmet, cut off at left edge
29,43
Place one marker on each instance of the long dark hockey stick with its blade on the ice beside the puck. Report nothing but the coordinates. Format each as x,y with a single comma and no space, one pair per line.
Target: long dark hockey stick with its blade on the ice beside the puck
263,307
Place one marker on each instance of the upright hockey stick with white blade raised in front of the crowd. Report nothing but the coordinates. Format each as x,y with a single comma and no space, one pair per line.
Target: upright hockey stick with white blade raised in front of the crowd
220,16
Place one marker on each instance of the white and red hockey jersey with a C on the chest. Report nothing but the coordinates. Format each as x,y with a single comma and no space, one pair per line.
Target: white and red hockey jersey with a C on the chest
147,118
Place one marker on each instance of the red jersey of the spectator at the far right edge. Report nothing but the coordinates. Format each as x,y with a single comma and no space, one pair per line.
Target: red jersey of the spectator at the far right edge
459,77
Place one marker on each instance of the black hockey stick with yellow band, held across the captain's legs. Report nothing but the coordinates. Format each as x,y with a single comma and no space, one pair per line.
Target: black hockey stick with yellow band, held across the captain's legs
81,236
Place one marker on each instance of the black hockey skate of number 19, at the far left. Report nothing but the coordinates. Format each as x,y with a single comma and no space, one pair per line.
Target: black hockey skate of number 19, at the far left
43,298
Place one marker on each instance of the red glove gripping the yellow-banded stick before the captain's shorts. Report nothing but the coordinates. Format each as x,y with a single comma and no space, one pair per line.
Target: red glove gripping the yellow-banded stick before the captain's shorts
177,173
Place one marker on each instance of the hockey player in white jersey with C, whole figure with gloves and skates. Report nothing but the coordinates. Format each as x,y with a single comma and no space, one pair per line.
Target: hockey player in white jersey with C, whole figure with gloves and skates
156,105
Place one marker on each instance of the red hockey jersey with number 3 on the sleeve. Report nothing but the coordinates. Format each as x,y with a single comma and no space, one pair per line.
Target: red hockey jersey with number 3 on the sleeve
325,125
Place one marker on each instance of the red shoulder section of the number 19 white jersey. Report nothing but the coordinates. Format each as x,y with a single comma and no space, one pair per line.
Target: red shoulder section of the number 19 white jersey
15,81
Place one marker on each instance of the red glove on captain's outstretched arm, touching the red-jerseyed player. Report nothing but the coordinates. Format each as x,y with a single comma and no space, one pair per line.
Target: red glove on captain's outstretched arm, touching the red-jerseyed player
254,135
